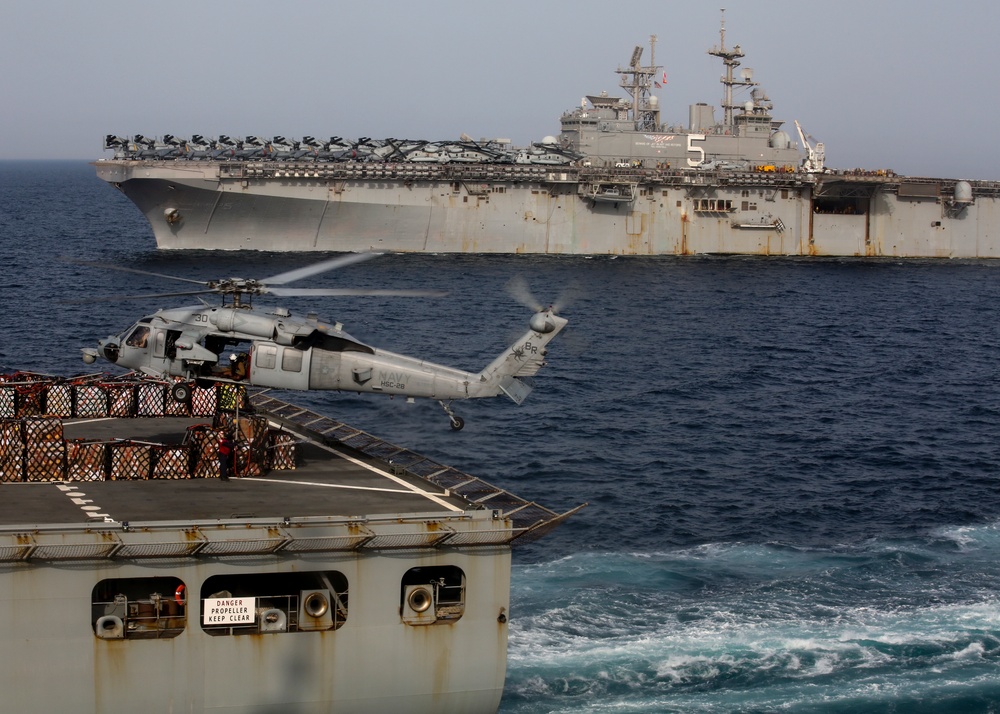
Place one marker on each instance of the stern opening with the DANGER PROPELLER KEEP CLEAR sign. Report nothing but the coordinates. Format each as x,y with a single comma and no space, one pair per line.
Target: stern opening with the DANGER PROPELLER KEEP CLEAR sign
269,603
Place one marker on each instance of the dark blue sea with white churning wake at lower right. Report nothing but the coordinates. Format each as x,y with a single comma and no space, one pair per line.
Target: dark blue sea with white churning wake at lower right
791,465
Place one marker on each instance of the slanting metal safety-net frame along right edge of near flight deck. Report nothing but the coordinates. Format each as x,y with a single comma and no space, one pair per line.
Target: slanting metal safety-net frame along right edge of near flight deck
529,519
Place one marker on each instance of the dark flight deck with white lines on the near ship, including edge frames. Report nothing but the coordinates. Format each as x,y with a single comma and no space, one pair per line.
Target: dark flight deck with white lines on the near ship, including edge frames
373,494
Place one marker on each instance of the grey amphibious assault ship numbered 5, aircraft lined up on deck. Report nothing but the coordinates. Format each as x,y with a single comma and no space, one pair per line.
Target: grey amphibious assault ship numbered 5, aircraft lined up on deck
616,180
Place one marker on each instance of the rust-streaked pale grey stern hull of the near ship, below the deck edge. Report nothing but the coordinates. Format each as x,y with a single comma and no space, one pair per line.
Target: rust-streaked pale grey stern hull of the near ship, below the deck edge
374,663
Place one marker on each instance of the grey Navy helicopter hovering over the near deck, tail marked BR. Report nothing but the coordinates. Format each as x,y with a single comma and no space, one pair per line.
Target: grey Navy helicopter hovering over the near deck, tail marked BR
285,351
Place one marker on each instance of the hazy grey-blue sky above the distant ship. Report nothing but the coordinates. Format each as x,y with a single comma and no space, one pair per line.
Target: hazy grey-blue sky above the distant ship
902,84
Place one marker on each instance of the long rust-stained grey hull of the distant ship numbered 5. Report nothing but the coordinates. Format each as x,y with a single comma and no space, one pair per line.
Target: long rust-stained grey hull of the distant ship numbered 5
569,211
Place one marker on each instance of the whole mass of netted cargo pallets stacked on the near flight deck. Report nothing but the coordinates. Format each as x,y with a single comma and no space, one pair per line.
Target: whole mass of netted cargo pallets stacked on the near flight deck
33,446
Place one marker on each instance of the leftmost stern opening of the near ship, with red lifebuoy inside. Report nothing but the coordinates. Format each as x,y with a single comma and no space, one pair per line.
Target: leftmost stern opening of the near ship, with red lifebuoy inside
138,608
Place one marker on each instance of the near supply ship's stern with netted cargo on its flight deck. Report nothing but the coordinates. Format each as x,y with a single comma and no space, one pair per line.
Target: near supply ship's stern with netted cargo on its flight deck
332,572
